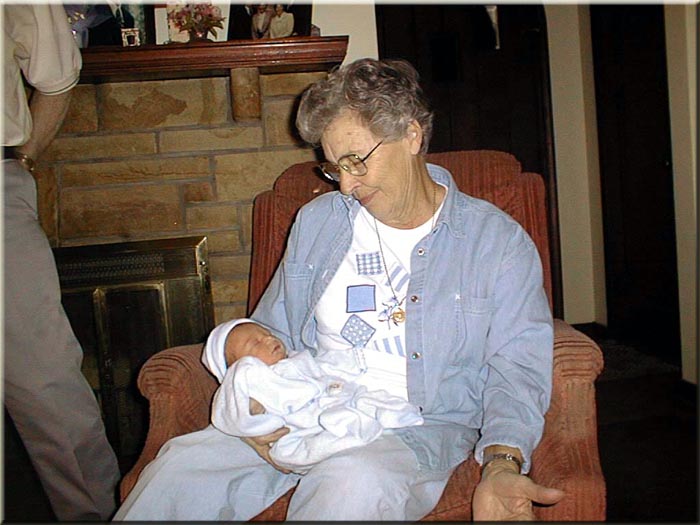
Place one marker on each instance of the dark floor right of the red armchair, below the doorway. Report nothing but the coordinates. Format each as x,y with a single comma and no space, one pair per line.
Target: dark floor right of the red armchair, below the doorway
647,437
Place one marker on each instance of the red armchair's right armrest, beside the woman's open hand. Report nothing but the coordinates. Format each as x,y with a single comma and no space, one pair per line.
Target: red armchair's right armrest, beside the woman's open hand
567,457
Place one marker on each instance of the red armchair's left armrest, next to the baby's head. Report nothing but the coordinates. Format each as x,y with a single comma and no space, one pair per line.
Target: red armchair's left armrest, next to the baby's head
179,390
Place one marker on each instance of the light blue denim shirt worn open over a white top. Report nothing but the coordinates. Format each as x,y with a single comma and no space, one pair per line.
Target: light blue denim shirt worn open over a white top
478,325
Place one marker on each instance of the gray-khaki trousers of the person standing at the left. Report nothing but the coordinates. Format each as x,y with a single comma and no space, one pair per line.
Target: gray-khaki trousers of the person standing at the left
45,392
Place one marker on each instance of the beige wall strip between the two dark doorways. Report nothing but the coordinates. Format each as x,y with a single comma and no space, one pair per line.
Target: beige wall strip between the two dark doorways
576,157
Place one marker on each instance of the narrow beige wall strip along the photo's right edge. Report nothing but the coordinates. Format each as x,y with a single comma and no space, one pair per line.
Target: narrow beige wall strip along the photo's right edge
681,39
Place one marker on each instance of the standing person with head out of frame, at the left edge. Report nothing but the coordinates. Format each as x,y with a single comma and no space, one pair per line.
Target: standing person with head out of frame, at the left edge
45,392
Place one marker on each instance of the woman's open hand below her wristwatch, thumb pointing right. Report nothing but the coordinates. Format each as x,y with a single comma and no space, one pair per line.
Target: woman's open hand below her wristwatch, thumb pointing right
504,495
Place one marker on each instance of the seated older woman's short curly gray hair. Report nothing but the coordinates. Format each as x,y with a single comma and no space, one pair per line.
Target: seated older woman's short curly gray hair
384,93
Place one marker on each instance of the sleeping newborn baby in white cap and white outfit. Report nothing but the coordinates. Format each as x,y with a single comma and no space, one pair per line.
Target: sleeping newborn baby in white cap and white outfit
262,390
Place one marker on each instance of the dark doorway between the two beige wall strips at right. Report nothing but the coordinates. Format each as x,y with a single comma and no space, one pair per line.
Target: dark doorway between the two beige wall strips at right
631,88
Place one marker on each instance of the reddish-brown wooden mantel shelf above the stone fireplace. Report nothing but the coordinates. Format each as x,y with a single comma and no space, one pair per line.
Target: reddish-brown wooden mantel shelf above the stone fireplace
161,62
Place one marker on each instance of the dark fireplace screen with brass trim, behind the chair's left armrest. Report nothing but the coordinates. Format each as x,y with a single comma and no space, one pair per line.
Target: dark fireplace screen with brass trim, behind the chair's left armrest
127,301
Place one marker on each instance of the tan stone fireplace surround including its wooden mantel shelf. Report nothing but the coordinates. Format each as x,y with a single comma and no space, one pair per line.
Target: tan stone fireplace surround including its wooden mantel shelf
176,141
